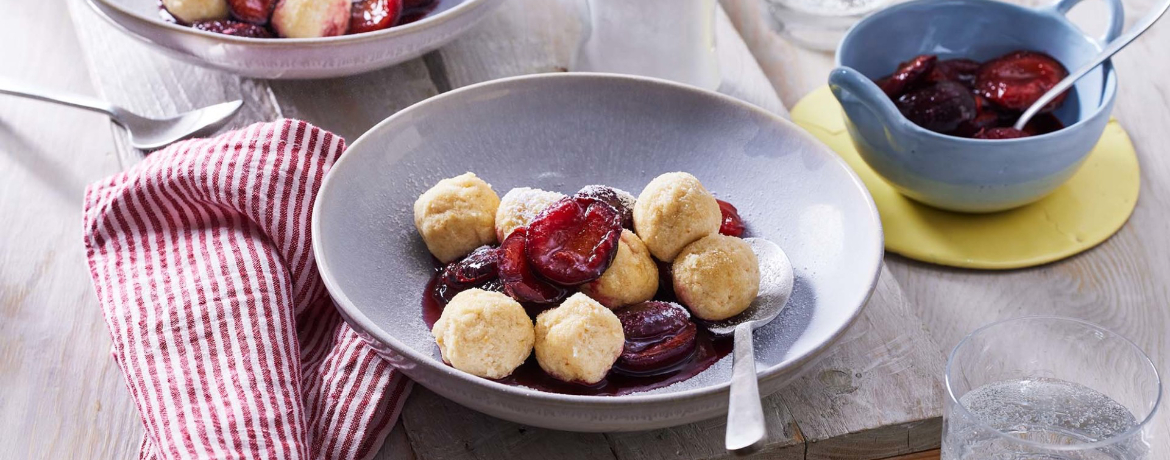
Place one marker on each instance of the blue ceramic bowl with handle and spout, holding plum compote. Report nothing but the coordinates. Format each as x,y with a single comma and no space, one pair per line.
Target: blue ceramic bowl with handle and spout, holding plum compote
960,174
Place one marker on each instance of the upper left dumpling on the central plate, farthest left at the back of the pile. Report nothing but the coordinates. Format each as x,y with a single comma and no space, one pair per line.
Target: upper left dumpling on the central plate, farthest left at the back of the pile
457,216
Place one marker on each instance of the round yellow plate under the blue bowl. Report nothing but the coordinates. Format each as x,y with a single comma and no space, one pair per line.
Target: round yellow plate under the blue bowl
1088,210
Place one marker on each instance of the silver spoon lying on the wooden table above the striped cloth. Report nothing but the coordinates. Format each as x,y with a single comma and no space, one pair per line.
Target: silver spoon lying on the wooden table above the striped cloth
146,134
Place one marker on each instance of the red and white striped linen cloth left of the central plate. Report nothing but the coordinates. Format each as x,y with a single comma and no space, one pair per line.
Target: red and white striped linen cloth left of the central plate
230,345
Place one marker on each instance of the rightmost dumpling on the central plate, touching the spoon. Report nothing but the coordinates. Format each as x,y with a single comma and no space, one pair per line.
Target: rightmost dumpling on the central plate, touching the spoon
717,277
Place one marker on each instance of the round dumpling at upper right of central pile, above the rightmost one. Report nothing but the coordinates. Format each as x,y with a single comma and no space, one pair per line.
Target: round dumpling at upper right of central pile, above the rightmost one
673,211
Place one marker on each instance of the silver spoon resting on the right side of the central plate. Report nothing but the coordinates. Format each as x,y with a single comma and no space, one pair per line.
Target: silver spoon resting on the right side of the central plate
746,415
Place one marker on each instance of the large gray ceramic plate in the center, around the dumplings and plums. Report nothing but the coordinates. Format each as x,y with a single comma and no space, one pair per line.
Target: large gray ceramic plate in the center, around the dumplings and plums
563,132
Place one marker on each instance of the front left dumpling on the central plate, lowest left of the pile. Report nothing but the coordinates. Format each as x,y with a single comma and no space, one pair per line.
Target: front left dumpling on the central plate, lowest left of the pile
485,334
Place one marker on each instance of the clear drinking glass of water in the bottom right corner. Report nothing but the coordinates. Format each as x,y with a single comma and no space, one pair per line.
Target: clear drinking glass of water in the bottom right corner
1049,388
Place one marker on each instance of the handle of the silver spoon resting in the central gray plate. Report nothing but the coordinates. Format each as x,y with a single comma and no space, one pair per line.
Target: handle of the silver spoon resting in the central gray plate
746,416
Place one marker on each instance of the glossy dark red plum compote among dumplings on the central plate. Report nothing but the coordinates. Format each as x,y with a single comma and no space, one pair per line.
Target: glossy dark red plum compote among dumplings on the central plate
573,242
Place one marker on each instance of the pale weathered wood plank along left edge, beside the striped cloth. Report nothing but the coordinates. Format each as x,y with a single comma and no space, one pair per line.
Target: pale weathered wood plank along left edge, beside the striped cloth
61,396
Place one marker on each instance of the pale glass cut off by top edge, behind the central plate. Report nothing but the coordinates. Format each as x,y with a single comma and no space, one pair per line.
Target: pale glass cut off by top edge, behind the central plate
664,39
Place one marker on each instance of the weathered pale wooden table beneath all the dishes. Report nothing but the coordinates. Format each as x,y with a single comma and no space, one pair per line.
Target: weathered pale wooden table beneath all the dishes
877,395
